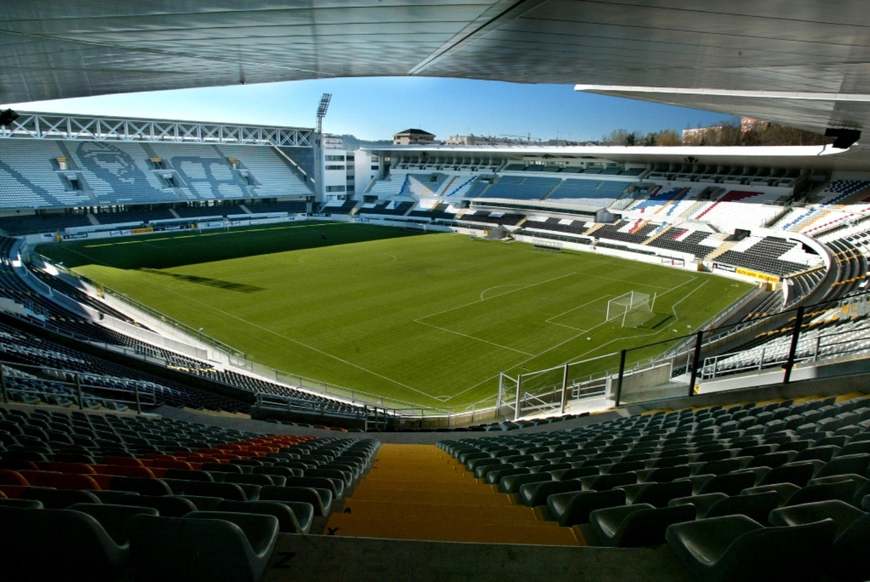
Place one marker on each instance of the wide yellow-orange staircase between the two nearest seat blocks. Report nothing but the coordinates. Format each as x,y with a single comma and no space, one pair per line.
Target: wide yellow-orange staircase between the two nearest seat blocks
420,492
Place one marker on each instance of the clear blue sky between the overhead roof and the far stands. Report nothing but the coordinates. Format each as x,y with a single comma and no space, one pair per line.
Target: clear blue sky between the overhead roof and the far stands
374,108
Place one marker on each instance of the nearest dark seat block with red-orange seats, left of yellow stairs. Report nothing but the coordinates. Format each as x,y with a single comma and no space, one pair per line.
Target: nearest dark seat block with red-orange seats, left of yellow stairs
165,498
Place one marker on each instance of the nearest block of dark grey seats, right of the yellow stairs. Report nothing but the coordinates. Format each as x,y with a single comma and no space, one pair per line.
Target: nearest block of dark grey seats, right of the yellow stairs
675,477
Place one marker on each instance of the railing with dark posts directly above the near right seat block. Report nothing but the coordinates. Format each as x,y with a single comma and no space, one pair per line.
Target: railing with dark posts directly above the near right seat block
825,332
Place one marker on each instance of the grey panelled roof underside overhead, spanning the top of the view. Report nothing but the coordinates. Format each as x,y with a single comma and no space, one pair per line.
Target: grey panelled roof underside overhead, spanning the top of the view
801,62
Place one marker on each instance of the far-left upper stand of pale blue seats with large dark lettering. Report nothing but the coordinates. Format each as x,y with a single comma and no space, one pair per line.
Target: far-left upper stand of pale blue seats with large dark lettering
117,173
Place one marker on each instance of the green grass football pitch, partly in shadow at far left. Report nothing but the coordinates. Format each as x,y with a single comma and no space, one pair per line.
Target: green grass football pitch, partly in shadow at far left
426,319
